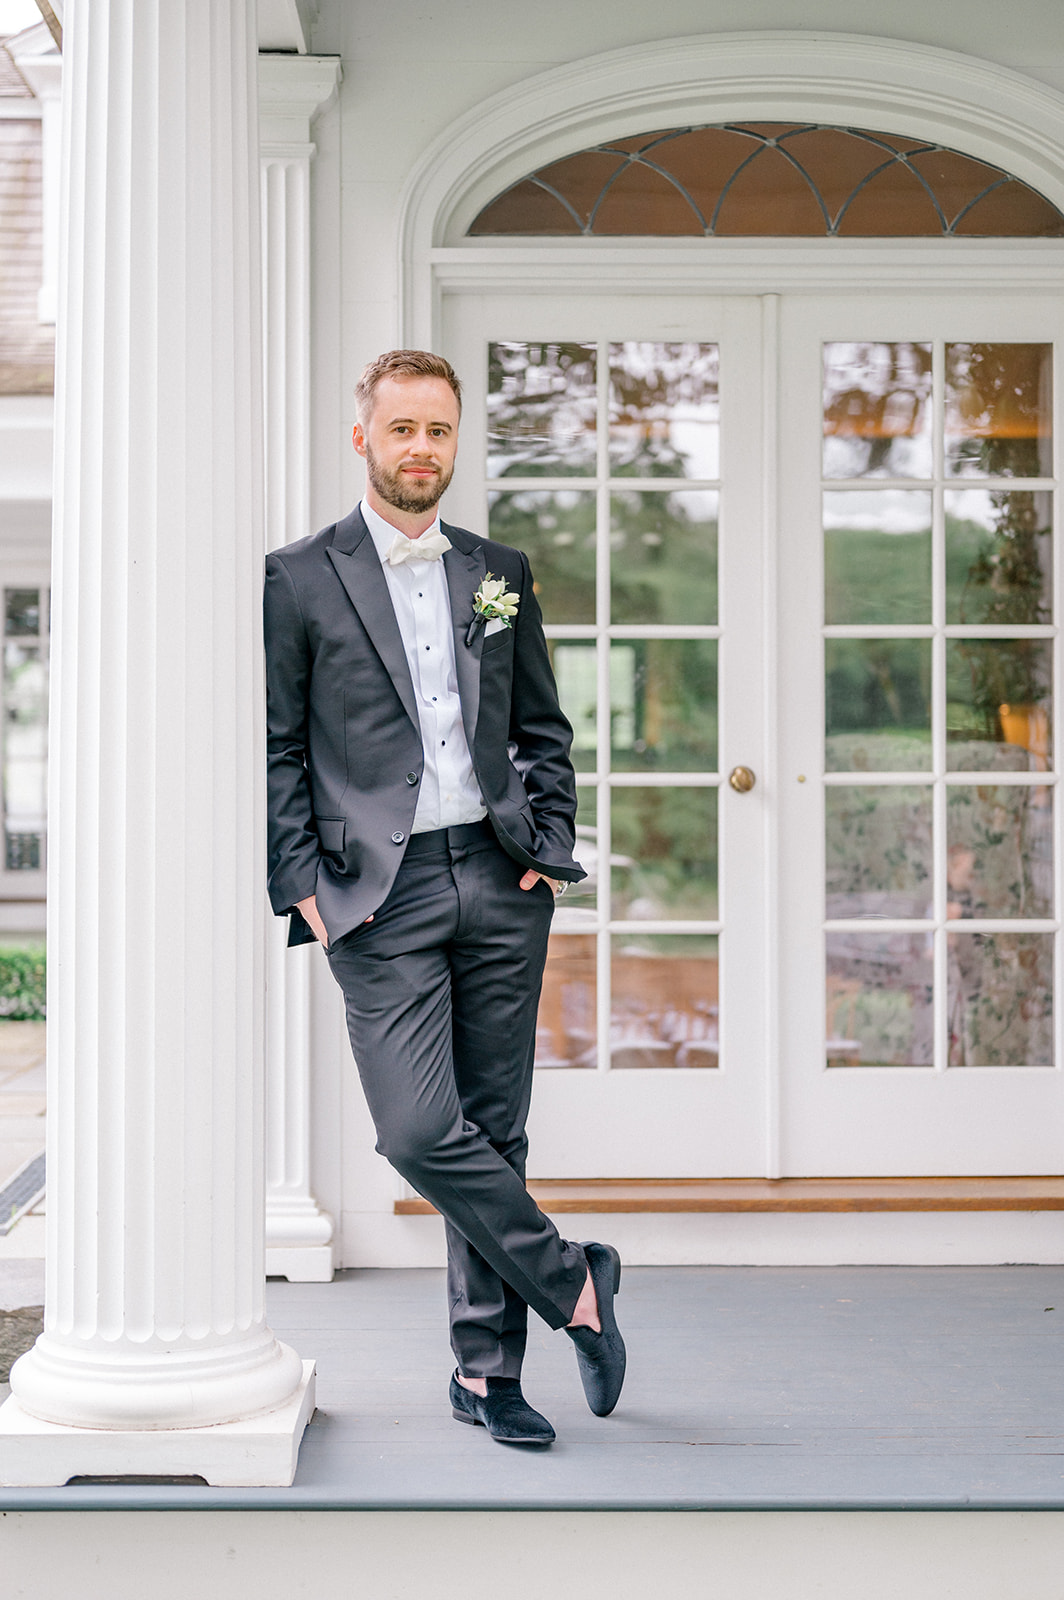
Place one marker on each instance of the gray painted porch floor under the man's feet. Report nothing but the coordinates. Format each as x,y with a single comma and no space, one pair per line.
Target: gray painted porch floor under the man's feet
785,1388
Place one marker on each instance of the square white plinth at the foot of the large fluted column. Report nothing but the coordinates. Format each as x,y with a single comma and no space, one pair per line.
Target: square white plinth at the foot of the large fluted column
257,1454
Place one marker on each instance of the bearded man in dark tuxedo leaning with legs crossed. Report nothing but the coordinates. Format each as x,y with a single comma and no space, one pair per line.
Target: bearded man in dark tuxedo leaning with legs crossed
422,810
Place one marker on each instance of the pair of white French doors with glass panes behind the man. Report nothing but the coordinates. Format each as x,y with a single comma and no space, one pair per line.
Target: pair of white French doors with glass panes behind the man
799,542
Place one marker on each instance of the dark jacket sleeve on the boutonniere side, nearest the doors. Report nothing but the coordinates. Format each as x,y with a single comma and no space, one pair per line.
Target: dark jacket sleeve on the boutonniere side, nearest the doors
542,740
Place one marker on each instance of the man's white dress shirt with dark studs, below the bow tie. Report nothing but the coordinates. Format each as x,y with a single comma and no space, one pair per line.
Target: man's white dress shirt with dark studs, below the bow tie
449,793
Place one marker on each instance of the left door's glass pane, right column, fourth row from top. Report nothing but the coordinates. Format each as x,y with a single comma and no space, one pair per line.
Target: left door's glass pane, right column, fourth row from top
665,854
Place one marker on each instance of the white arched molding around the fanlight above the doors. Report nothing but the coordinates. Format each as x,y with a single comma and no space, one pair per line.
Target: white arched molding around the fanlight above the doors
860,81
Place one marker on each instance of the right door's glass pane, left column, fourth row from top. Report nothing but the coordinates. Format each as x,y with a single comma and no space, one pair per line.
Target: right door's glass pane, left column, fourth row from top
879,852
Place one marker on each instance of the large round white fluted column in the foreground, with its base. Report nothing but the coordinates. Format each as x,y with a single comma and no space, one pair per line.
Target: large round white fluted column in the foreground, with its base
156,1354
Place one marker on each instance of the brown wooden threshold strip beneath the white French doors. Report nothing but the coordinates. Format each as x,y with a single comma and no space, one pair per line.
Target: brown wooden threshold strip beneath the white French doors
786,1194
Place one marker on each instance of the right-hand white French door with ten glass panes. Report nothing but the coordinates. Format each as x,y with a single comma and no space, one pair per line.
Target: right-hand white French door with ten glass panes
919,814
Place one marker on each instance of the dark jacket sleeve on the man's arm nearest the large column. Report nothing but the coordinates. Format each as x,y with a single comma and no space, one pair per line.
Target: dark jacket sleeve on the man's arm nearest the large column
294,850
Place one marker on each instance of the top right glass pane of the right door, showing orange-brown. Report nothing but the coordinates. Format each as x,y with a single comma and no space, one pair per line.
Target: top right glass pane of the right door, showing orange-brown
999,410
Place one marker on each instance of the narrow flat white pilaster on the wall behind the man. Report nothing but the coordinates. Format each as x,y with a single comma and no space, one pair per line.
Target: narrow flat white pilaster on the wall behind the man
294,92
